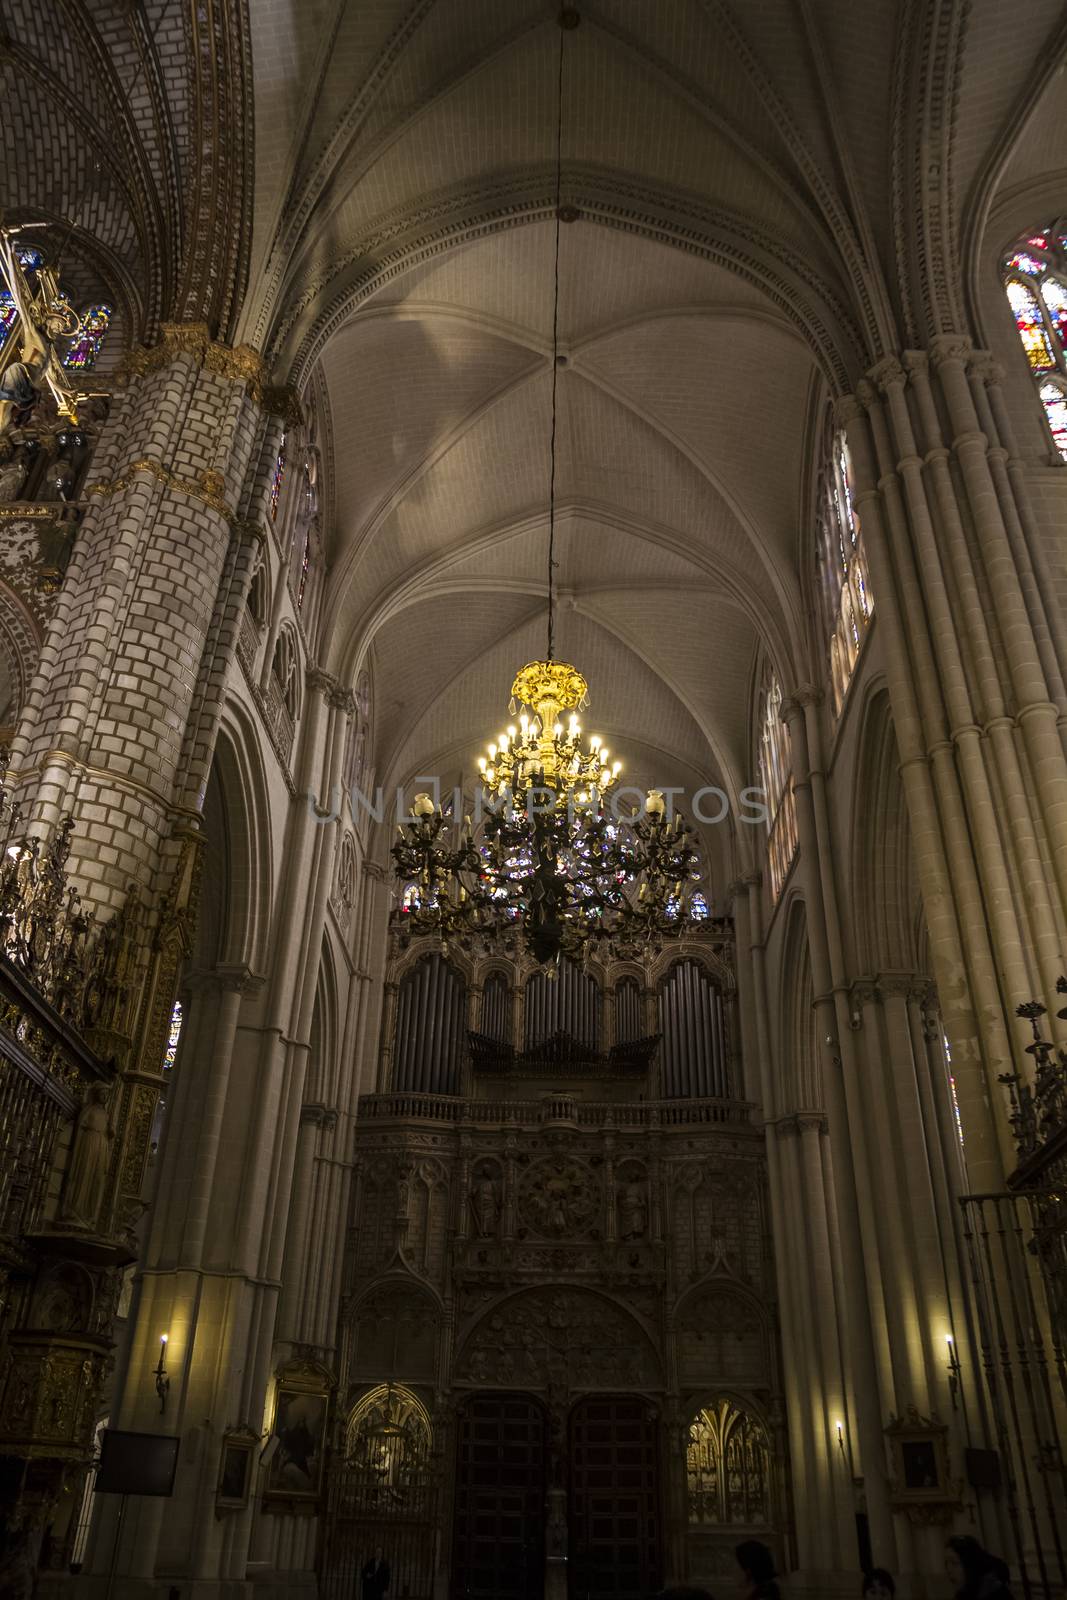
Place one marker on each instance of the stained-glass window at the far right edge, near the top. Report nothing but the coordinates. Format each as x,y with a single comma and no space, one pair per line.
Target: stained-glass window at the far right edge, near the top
1036,282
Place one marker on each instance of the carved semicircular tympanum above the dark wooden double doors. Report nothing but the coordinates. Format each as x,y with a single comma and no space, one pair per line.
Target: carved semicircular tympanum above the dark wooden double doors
559,1338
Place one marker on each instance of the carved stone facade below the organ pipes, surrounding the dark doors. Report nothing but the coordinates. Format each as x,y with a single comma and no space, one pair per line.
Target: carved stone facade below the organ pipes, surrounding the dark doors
502,1255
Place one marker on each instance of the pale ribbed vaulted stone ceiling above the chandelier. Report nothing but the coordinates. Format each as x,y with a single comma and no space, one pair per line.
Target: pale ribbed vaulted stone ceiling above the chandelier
770,196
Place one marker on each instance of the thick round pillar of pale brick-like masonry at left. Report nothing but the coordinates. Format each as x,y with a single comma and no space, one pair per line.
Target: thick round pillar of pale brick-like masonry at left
121,714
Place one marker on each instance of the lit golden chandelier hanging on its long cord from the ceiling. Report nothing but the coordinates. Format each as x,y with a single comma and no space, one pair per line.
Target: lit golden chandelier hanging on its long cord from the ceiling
548,858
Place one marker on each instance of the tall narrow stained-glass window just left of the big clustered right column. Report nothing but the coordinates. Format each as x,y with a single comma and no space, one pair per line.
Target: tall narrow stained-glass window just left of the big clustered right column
844,588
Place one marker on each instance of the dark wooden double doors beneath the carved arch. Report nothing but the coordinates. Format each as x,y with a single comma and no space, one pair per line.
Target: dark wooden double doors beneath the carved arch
613,1500
